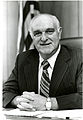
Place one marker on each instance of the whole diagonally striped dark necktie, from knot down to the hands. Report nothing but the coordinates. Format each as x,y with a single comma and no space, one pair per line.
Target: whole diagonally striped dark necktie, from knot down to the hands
45,81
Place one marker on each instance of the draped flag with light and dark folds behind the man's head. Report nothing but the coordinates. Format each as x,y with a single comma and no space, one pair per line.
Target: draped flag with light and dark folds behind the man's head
27,10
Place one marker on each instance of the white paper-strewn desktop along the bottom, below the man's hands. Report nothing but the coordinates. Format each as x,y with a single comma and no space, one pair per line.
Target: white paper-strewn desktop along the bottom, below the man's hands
46,115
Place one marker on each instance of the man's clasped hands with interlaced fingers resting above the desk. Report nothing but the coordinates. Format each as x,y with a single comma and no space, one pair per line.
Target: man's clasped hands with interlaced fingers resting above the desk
30,101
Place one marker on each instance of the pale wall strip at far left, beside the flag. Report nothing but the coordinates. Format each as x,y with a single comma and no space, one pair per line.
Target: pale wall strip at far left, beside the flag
9,46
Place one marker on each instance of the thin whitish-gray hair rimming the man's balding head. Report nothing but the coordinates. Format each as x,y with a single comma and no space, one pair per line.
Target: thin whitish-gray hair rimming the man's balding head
54,18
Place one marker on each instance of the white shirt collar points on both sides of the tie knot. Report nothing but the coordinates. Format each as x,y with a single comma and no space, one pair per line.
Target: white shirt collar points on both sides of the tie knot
52,59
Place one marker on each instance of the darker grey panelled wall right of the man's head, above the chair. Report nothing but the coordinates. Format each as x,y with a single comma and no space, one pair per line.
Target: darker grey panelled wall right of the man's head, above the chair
68,13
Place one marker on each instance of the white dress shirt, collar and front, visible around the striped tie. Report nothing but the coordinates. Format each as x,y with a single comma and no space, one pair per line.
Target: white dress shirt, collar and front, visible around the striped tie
51,61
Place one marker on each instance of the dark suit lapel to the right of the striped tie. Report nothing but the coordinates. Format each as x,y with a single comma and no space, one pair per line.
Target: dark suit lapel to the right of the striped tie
60,69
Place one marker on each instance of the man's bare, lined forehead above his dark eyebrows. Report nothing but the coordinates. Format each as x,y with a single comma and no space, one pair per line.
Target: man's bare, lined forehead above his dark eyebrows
42,23
